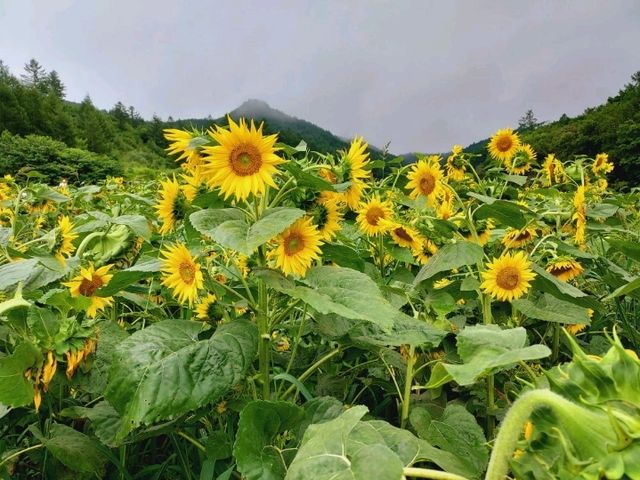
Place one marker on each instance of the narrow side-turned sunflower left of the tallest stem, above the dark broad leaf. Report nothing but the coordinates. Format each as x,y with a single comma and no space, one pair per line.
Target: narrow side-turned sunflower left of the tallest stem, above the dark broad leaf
181,273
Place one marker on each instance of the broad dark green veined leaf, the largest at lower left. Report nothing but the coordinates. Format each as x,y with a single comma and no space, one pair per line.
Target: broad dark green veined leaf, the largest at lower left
164,370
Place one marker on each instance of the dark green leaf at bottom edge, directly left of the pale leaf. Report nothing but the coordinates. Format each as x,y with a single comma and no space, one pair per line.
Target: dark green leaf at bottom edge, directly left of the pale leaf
257,450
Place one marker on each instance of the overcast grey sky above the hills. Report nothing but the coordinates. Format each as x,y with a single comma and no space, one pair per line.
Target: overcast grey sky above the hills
421,74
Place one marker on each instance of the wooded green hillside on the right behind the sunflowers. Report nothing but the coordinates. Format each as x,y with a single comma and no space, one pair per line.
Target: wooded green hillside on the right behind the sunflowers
613,128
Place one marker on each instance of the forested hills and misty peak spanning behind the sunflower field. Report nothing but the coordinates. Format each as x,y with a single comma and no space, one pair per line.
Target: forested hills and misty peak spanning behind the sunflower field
41,130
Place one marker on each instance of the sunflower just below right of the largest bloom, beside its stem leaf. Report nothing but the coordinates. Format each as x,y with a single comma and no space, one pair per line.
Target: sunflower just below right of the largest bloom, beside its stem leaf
297,247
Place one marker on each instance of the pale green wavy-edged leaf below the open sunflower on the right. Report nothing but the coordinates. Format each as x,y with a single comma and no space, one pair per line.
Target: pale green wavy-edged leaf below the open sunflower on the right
487,349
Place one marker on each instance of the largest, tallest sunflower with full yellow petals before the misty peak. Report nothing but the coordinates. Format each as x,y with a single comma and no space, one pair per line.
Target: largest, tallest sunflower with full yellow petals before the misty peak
243,162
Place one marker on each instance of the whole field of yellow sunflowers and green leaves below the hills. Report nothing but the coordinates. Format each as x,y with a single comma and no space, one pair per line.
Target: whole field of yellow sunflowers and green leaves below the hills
270,312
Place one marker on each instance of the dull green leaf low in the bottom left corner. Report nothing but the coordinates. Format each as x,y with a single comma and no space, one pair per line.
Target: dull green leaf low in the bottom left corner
74,449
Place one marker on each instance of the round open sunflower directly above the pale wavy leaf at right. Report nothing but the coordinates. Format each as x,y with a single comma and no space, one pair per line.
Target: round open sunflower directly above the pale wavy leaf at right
507,278
